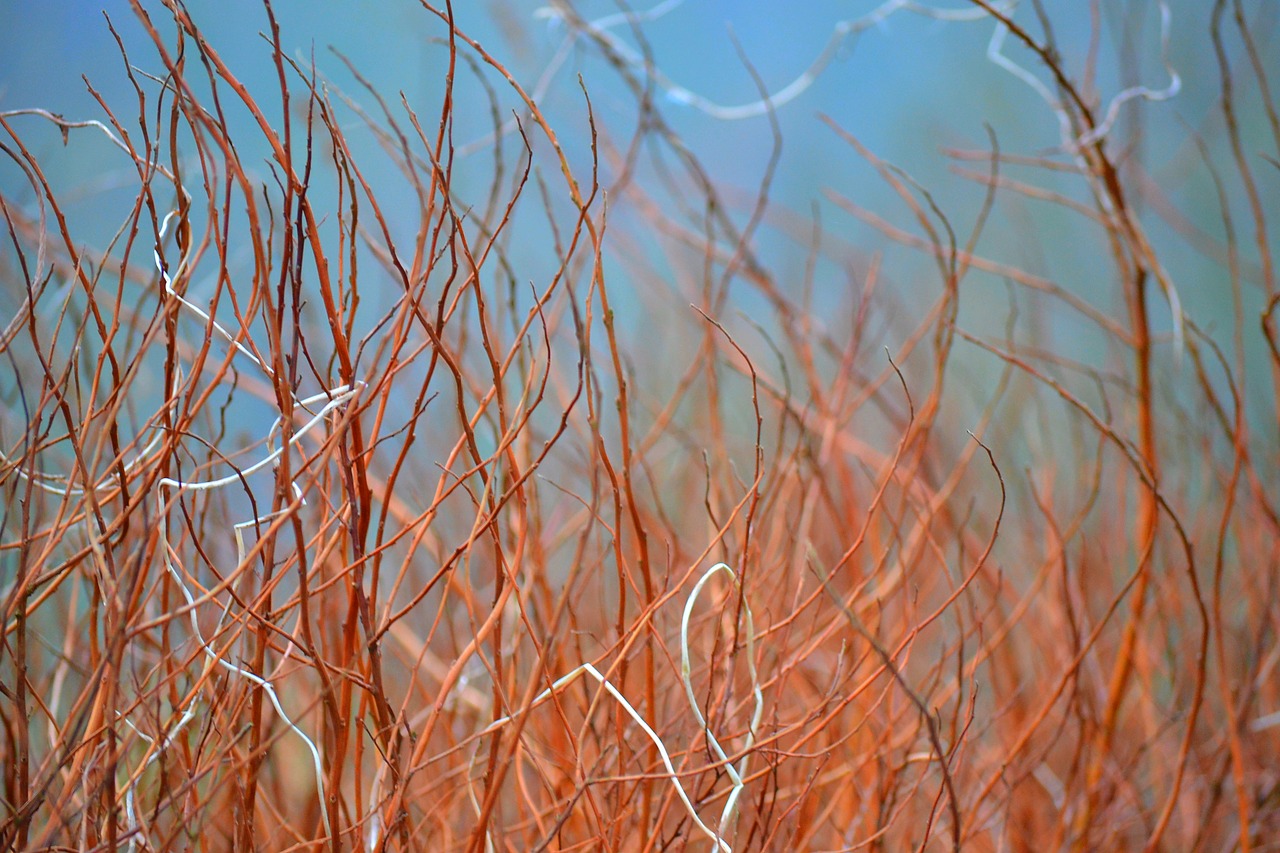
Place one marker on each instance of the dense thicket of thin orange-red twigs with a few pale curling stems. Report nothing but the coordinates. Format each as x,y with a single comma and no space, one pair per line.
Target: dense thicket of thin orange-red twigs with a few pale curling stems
441,514
